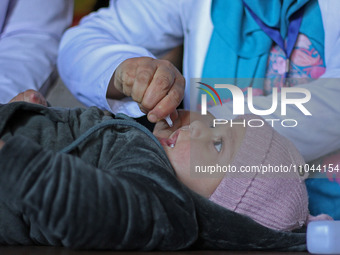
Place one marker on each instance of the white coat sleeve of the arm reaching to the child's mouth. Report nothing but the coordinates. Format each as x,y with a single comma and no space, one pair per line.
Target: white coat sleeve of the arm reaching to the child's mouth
90,52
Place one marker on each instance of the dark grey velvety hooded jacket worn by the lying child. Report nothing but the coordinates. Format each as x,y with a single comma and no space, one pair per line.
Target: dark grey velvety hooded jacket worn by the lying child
85,179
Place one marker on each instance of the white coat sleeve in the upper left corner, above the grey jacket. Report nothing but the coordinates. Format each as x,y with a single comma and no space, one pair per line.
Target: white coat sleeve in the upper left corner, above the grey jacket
29,42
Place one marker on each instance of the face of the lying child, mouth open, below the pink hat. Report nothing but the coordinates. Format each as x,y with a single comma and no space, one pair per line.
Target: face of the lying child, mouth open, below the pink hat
198,144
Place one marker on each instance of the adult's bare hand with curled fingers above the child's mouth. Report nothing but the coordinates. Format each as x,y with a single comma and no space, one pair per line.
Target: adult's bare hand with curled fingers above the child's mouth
156,85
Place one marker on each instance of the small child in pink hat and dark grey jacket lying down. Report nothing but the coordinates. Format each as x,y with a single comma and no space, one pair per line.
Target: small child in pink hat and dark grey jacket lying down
84,178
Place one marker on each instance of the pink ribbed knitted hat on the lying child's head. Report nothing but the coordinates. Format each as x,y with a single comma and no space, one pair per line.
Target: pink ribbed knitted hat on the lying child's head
277,200
